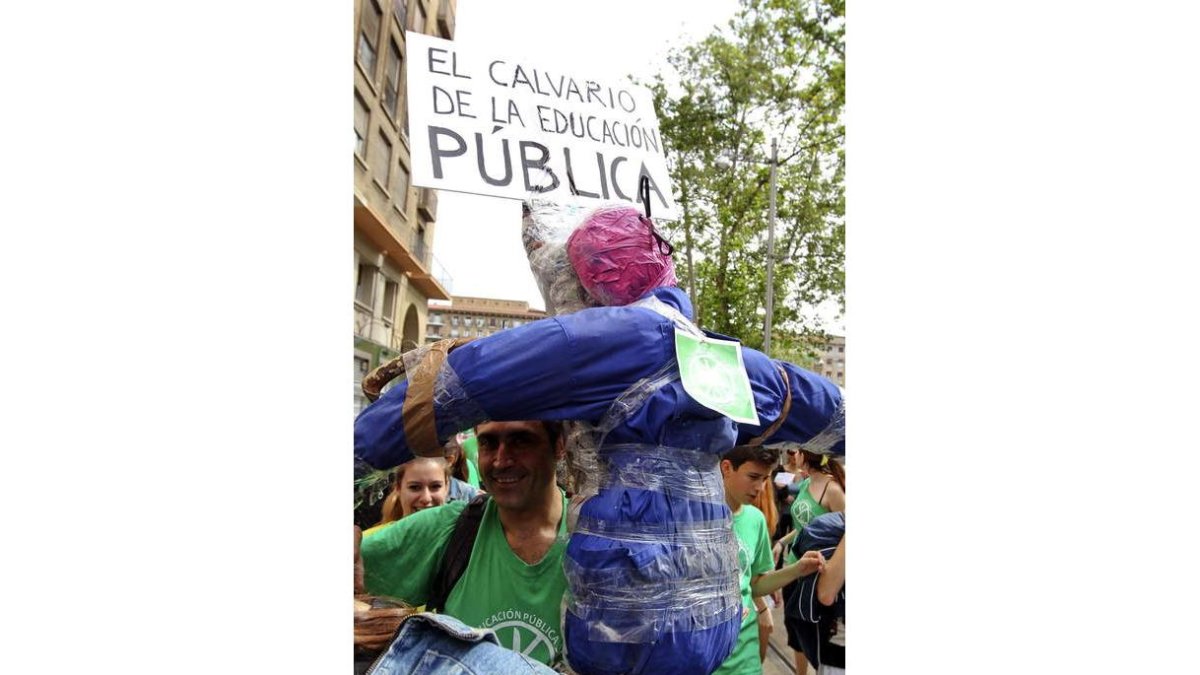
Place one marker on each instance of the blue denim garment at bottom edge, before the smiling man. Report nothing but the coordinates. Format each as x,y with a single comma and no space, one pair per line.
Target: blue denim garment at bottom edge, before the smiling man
437,643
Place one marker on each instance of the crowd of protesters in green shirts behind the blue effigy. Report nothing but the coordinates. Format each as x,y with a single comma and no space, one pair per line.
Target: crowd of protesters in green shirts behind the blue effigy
518,462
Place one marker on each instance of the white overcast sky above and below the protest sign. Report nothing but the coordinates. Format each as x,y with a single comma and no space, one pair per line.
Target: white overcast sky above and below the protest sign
478,238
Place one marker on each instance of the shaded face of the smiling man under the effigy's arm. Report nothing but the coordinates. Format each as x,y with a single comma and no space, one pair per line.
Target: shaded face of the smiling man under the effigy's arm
517,463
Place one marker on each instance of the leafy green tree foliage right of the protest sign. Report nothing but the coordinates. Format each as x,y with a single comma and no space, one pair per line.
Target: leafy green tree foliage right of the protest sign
778,71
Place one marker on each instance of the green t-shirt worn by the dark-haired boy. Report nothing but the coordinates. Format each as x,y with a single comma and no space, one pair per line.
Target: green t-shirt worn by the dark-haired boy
754,559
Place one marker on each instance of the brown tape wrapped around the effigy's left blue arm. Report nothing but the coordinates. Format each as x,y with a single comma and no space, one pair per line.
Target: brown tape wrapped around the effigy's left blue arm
419,425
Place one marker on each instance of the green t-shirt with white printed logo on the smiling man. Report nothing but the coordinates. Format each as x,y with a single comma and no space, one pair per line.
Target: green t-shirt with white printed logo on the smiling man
520,602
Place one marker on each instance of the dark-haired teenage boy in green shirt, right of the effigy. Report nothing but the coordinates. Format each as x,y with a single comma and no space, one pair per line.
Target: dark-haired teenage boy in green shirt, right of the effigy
746,470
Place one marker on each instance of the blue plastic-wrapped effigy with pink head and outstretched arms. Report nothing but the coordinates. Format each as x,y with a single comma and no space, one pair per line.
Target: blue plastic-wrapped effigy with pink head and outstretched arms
652,561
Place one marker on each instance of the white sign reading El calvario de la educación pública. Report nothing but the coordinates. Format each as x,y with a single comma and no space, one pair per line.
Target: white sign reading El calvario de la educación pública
507,128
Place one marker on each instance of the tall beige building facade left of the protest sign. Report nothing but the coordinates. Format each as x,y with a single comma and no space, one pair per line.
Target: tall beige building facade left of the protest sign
395,273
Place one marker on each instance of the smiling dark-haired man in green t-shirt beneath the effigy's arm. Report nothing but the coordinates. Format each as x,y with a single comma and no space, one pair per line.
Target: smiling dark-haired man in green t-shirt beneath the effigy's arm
514,582
